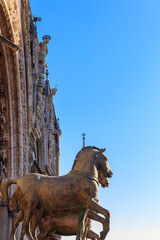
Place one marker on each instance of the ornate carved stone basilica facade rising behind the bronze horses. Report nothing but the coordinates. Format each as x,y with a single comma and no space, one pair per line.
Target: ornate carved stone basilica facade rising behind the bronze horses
29,130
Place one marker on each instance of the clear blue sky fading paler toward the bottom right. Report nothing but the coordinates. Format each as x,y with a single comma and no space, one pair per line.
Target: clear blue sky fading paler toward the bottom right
105,58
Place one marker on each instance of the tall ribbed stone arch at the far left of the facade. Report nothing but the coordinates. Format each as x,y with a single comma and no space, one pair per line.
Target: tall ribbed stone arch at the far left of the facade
10,89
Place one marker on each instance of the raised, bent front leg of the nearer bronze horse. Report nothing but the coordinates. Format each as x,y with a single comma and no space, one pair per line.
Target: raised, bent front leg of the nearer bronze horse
88,203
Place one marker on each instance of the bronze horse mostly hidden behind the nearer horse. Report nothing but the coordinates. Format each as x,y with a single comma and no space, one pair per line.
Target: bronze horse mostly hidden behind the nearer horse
66,222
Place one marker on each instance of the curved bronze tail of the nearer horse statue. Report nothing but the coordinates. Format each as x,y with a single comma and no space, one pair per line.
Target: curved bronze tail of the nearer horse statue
4,188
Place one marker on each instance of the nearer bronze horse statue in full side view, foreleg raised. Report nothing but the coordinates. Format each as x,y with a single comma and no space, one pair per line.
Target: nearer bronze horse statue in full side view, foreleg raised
78,188
